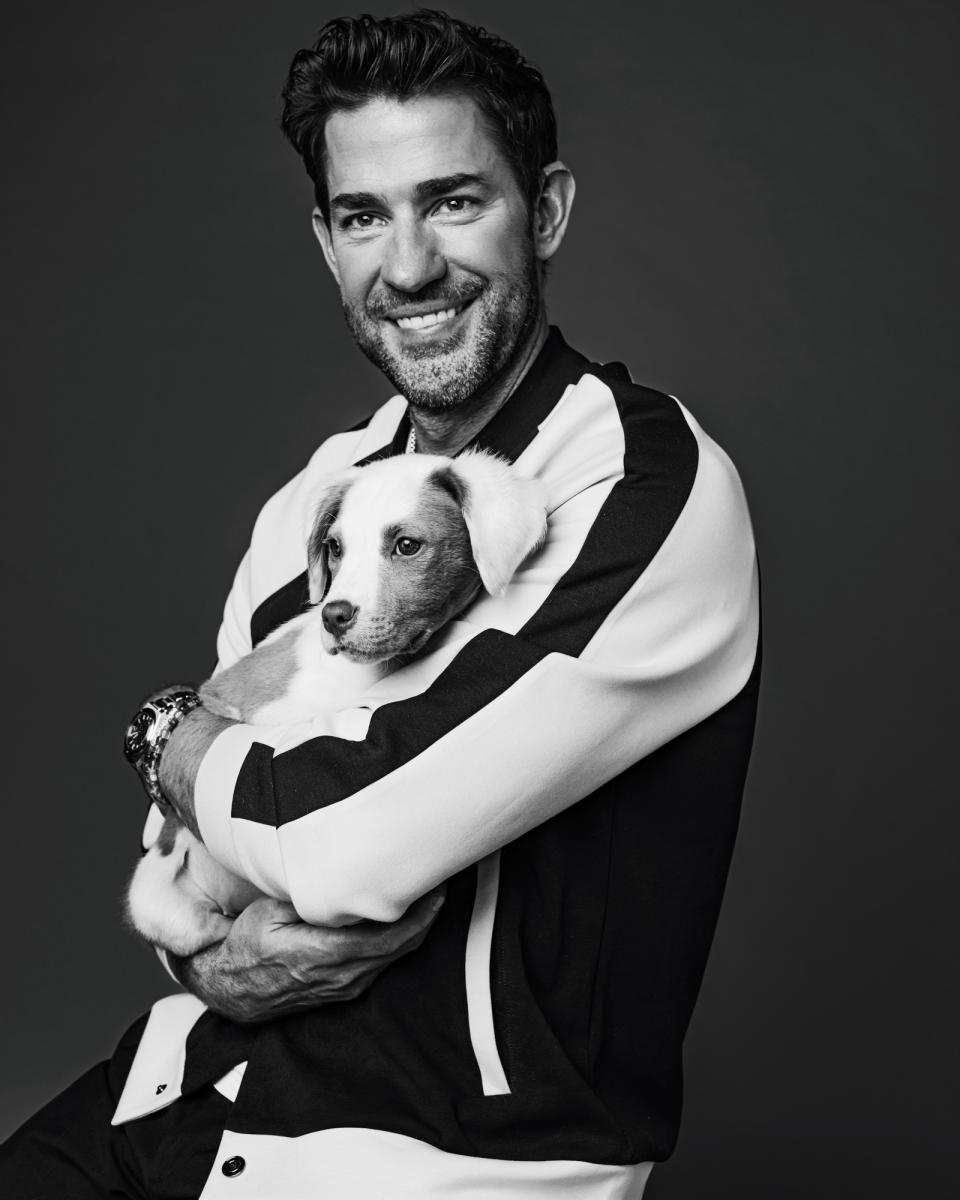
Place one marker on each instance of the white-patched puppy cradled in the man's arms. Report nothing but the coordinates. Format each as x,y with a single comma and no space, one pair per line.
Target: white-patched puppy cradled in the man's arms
398,549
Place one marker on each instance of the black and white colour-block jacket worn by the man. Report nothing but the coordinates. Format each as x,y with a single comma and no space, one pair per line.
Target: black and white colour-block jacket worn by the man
569,755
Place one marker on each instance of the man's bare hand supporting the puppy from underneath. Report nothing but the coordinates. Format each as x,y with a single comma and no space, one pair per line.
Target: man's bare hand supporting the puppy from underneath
273,964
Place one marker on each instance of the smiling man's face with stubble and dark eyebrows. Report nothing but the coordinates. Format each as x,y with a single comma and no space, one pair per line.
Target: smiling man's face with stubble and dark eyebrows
431,242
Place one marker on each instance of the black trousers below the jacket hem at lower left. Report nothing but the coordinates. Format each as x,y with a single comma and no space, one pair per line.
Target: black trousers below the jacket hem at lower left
70,1151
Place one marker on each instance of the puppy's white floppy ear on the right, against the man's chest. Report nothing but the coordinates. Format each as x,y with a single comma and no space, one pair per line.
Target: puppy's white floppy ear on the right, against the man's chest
505,512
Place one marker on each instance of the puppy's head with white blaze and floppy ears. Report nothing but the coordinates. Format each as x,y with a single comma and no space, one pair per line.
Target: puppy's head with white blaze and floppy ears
401,547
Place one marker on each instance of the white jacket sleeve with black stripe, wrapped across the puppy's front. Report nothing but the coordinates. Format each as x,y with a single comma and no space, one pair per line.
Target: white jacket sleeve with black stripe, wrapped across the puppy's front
638,621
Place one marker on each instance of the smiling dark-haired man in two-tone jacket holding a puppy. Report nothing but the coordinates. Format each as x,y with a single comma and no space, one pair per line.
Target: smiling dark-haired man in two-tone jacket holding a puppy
569,766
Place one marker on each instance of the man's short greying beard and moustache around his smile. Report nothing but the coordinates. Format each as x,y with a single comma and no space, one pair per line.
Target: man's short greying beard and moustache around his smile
449,373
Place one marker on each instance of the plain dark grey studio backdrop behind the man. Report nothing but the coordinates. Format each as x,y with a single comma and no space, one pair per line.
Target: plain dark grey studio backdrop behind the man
765,227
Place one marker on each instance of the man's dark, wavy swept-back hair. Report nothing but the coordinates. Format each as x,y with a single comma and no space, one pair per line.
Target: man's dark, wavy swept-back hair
424,53
